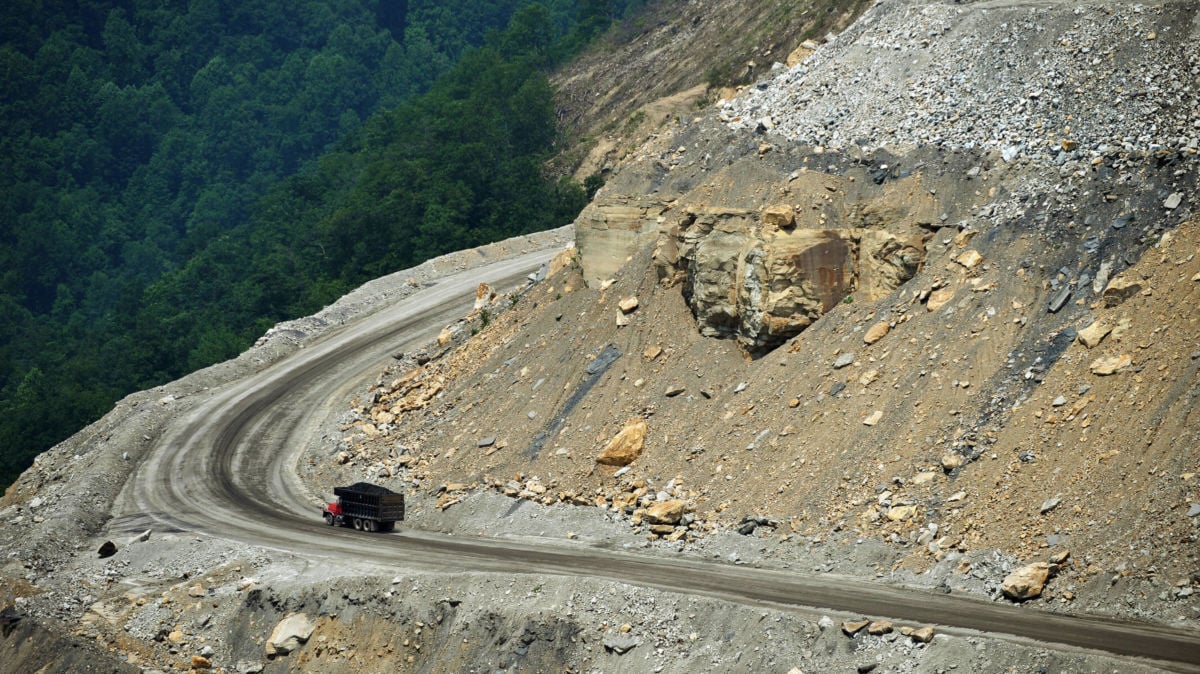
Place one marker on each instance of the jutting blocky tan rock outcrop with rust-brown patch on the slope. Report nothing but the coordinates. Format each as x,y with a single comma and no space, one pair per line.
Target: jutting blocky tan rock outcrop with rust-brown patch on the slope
761,280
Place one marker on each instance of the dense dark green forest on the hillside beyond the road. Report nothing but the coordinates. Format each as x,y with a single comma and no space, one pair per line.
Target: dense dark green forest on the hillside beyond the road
179,176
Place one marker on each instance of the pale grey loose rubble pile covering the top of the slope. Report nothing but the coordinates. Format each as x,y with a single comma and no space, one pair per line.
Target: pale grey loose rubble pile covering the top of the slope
1053,85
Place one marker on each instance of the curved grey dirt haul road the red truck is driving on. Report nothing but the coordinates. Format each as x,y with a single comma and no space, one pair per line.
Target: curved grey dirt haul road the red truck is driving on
227,470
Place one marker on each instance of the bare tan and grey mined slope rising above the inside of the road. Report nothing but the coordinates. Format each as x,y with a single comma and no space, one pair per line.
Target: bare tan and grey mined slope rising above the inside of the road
935,286
